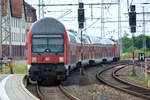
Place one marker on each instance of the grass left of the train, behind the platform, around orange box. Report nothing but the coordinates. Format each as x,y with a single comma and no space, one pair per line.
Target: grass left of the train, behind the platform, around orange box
19,68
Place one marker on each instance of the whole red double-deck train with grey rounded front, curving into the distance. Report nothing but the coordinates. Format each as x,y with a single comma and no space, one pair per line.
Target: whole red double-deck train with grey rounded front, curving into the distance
53,52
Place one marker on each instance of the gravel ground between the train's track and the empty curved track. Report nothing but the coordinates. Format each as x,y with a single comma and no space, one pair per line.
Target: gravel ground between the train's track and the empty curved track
87,87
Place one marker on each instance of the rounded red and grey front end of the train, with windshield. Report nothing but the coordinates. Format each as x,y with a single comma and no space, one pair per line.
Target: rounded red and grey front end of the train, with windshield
47,49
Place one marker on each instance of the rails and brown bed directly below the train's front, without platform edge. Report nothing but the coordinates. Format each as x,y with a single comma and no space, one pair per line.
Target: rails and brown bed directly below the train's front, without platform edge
54,93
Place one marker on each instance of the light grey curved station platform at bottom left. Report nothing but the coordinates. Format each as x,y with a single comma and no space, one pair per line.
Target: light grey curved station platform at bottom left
13,89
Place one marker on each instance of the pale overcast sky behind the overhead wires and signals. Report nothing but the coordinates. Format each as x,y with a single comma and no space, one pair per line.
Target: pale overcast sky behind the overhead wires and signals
68,16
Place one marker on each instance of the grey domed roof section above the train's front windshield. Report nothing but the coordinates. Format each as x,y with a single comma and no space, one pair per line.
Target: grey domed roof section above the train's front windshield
48,25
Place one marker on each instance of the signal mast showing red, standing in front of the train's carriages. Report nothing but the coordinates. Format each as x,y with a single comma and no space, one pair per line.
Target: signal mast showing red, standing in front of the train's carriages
81,21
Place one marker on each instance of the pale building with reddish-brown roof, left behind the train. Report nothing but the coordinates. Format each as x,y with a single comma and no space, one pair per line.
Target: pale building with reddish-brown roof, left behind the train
17,17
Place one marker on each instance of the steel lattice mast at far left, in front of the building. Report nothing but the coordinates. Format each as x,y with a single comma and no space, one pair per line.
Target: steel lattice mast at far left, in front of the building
6,33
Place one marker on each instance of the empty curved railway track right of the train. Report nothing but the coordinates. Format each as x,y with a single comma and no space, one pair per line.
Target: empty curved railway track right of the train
109,77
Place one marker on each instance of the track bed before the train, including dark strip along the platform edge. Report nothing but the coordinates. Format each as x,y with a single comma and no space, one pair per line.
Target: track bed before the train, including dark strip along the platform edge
49,92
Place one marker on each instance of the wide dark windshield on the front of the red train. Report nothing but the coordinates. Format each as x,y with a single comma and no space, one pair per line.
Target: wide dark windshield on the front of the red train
47,44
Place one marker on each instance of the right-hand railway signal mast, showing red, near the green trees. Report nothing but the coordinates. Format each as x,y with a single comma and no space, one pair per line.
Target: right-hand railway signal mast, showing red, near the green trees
132,24
